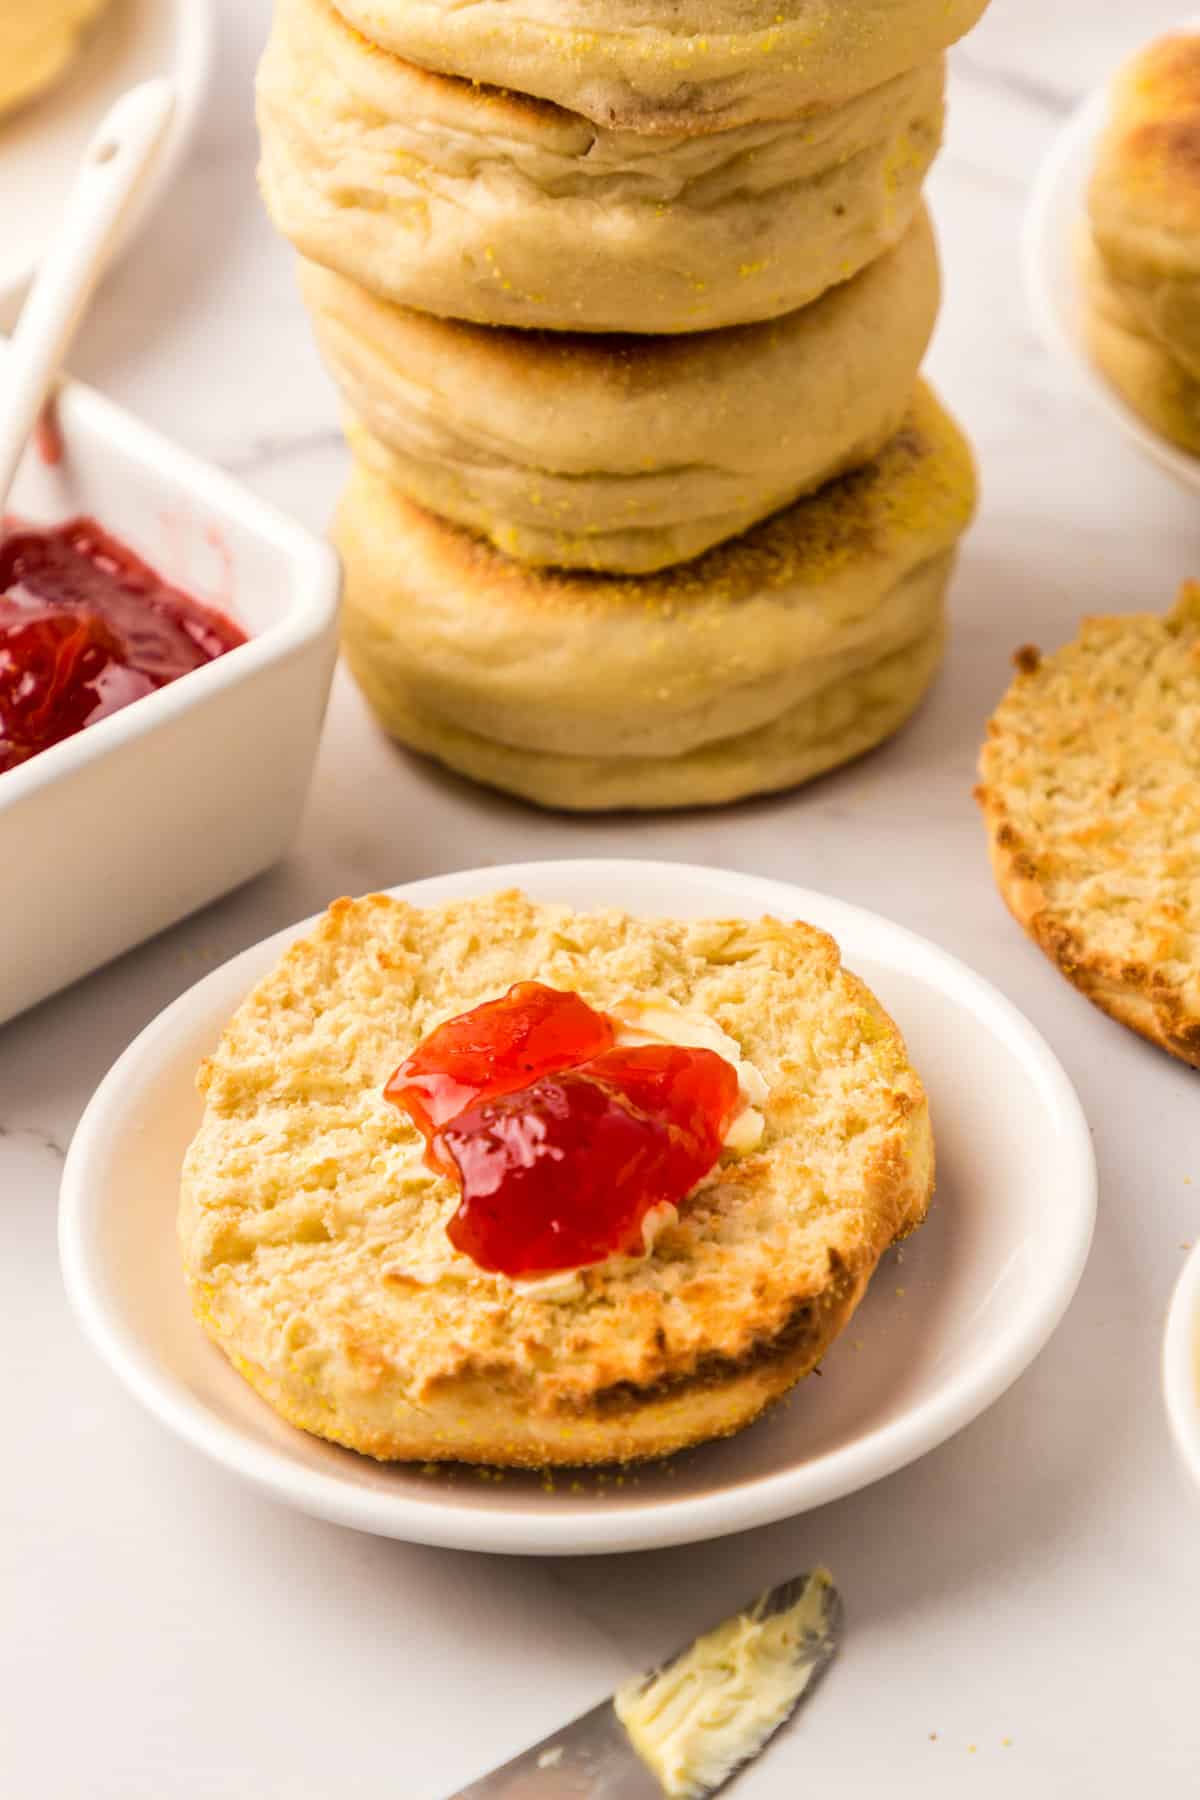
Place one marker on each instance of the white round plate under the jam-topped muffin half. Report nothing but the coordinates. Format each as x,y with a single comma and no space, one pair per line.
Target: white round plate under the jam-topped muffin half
985,1282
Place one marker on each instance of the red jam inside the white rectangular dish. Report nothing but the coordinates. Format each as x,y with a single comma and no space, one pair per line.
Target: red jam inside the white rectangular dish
87,629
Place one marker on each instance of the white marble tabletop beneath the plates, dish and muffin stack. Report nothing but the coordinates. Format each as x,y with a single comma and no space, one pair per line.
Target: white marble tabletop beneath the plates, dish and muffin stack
1026,1603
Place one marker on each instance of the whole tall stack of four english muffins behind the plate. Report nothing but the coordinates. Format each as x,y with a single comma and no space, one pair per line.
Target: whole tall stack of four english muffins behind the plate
627,301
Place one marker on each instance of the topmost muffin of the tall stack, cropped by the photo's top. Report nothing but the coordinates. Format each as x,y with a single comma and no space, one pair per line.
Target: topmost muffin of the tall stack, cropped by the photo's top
668,66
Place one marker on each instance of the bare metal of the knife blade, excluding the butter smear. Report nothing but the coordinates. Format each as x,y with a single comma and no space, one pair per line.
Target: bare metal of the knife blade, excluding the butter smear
595,1759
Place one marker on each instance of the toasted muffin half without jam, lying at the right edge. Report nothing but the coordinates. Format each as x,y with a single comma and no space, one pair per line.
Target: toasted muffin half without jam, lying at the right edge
1091,791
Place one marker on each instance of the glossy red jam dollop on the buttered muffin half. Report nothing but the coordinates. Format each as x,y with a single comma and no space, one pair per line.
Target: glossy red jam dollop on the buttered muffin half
559,1142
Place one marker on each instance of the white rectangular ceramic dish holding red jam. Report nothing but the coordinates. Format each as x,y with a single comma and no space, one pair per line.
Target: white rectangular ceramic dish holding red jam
159,809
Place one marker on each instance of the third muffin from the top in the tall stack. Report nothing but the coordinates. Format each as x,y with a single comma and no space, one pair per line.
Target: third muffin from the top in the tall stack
566,451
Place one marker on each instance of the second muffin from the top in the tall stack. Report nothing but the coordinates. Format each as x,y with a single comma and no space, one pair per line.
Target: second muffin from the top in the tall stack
490,206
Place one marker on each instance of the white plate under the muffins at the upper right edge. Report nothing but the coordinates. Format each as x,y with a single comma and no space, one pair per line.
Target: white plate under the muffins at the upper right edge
1055,226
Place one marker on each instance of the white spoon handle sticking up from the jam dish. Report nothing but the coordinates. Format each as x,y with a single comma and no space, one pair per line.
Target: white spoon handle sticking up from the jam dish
109,179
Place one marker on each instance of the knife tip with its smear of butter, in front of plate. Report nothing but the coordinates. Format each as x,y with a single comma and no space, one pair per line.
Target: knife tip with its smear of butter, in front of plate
793,1630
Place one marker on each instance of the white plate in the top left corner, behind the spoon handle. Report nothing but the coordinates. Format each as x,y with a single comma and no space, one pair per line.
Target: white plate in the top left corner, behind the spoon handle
42,143
